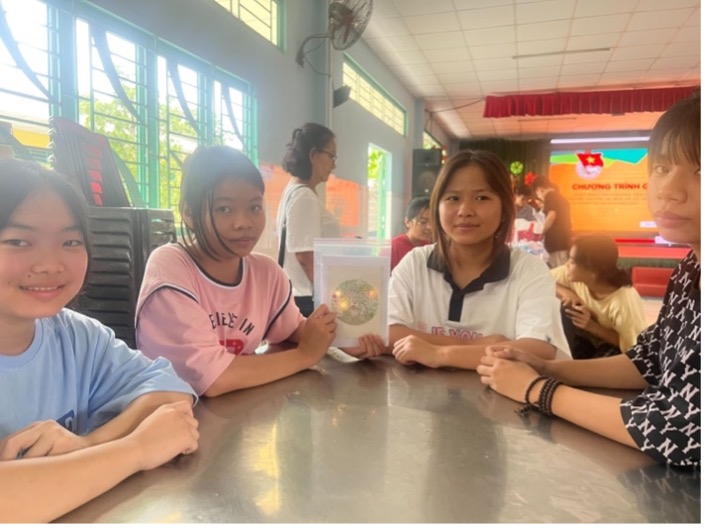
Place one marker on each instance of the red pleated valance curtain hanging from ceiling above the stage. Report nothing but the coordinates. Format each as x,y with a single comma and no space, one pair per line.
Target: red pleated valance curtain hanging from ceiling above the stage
612,102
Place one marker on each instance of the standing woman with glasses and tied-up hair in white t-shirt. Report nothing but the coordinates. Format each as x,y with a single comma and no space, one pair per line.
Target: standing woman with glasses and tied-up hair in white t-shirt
301,216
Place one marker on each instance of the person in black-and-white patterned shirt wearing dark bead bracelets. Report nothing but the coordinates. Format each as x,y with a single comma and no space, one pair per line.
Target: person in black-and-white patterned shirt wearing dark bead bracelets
664,420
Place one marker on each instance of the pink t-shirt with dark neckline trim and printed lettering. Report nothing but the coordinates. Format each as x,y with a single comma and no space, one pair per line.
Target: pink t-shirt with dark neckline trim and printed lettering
201,324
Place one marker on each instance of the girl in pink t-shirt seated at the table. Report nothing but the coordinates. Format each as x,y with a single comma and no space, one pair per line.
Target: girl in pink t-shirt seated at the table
209,302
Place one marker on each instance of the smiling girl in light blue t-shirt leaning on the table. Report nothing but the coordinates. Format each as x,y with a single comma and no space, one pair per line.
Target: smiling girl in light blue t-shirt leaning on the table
80,410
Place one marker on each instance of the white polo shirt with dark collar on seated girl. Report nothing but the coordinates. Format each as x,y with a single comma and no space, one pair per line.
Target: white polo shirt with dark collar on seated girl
515,297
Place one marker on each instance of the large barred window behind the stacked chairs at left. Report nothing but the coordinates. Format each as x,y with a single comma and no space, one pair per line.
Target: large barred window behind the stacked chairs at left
155,103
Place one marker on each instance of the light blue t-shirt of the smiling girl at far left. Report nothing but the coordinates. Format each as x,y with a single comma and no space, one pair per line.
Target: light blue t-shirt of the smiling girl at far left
77,373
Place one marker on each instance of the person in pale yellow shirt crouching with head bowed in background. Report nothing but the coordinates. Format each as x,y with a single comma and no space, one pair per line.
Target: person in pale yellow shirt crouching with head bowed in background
606,314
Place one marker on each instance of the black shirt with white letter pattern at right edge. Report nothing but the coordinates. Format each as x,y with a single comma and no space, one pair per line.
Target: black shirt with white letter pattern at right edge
664,420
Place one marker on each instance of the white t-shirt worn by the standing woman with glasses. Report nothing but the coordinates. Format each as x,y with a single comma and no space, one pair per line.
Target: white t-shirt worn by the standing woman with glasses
306,219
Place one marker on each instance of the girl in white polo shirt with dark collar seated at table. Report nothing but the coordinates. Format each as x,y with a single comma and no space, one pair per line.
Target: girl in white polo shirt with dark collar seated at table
449,300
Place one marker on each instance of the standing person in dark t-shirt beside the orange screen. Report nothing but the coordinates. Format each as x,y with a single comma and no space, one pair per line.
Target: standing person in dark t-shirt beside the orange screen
557,225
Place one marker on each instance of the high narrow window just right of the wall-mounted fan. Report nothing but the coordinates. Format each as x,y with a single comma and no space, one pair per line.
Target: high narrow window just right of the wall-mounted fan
373,98
